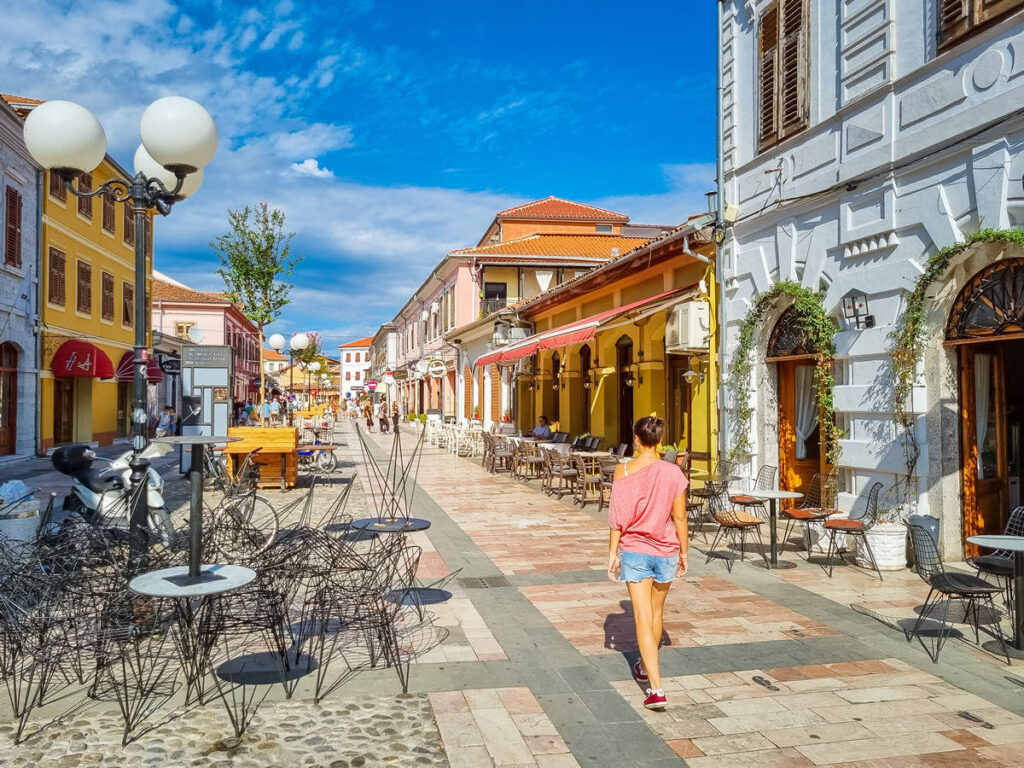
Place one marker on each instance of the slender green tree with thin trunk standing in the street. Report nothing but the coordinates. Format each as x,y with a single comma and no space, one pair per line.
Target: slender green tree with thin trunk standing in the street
255,264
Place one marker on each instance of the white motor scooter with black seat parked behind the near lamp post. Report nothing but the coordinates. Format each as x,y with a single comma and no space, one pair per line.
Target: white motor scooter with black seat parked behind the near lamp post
103,497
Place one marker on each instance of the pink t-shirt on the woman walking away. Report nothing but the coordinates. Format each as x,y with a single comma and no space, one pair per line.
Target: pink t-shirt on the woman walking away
642,508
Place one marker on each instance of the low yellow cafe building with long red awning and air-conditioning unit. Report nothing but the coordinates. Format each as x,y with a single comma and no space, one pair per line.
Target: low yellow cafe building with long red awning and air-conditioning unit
603,354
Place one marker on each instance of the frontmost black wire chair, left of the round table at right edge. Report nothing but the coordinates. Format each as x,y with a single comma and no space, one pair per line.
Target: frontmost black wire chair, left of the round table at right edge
970,590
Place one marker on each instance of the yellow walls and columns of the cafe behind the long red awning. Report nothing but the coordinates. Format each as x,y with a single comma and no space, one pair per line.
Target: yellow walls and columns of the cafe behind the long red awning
651,397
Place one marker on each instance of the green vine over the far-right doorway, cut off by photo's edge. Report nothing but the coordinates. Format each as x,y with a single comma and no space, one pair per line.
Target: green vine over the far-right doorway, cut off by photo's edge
909,336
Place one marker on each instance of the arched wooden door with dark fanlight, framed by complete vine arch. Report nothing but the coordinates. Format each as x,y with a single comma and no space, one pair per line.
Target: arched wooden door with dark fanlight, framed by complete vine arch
801,454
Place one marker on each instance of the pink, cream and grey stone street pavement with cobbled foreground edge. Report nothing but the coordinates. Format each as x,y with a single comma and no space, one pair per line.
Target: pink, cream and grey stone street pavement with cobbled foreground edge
785,668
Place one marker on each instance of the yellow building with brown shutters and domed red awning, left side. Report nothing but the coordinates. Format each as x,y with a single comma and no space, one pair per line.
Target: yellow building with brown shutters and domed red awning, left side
88,309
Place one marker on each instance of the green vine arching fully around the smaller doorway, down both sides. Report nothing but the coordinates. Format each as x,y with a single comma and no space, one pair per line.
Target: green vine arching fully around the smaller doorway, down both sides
813,319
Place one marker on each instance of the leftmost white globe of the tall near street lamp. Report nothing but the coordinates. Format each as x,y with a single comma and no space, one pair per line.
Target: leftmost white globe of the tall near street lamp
65,137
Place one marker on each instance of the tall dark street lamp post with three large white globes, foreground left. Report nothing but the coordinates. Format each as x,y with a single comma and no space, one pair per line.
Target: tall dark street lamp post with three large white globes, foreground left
180,139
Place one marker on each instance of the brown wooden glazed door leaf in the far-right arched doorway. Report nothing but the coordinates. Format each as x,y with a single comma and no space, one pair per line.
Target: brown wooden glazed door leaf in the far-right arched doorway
984,441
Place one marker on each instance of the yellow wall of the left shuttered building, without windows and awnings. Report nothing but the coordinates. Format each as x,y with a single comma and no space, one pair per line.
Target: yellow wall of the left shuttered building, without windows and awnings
83,240
